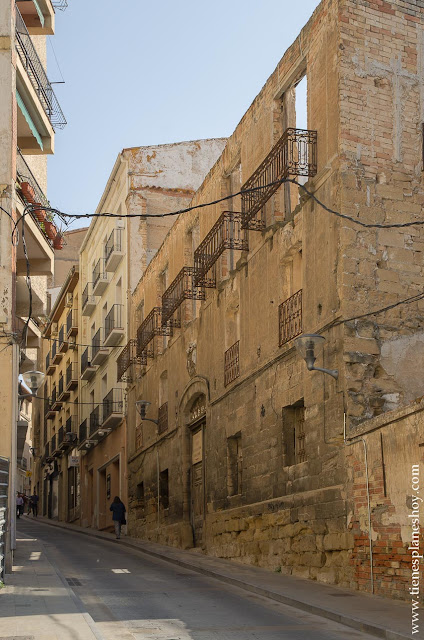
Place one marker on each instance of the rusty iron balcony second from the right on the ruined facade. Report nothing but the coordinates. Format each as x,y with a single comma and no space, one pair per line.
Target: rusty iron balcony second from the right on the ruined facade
227,233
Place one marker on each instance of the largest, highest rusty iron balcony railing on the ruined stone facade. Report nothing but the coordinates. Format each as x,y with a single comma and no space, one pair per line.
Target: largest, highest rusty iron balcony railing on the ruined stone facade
295,154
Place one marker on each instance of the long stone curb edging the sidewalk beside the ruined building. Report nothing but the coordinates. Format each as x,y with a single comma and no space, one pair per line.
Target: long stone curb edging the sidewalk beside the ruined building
346,620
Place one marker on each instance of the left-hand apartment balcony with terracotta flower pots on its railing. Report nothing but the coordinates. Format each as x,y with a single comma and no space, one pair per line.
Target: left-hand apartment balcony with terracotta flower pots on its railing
39,246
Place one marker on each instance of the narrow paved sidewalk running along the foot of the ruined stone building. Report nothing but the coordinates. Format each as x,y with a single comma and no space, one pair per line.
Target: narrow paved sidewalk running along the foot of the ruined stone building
378,616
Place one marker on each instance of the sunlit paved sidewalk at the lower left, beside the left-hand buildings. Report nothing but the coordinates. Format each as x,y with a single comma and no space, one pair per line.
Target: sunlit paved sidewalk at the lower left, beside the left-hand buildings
37,604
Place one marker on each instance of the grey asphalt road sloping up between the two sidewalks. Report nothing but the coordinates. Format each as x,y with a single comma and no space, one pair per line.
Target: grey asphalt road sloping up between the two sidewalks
132,596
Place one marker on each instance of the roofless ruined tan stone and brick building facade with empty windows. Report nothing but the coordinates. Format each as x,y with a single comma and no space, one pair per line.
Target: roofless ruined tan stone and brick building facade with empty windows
242,451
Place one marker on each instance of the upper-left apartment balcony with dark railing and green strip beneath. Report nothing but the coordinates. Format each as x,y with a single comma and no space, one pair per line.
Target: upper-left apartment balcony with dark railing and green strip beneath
39,112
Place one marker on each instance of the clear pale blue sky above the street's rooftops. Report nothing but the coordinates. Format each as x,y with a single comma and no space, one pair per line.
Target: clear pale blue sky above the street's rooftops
143,73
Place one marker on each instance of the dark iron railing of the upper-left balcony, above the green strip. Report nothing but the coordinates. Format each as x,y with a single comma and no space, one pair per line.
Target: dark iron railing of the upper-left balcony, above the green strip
37,75
